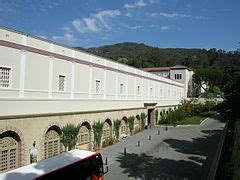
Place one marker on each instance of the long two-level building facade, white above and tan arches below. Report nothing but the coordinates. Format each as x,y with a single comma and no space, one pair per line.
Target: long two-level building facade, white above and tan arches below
45,86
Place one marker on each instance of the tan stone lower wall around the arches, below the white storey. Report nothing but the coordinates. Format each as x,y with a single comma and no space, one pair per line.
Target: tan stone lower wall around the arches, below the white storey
32,129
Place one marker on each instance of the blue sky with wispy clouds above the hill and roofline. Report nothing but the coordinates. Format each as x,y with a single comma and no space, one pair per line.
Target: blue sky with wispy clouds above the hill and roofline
161,23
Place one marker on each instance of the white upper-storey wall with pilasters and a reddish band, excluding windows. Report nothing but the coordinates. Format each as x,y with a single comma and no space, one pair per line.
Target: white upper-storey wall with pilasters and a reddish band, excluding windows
35,78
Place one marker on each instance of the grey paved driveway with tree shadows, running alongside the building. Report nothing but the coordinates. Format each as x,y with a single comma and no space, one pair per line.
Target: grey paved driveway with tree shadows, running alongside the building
179,153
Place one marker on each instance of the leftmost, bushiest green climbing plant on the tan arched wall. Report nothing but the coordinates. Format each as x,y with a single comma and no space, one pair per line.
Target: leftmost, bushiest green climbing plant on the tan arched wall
69,135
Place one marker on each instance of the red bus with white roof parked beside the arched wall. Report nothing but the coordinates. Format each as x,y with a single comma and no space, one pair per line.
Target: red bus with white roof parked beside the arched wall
75,164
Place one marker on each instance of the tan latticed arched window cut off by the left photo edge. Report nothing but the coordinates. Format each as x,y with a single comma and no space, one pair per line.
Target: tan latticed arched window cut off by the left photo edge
9,151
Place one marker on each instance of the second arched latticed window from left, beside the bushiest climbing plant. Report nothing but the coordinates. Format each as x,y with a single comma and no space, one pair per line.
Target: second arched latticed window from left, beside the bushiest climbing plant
52,142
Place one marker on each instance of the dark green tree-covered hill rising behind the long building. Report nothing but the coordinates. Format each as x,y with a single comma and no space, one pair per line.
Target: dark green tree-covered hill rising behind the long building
141,55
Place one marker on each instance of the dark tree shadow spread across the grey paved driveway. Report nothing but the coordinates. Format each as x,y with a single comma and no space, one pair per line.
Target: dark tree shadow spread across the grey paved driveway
201,151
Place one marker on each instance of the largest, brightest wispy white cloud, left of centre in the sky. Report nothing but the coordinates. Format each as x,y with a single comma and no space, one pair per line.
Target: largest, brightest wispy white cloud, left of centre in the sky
95,22
